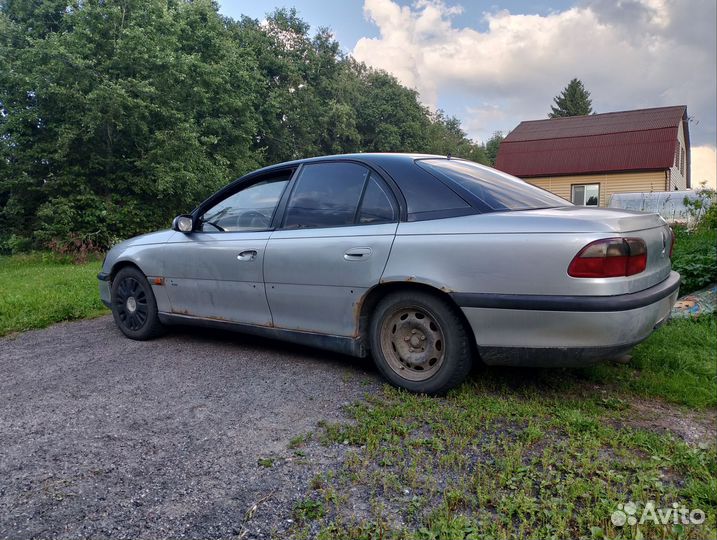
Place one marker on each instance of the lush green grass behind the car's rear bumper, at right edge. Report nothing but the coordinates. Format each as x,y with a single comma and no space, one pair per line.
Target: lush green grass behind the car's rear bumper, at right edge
677,363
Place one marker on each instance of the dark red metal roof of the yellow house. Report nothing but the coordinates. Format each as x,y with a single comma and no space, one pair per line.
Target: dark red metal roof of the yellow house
620,141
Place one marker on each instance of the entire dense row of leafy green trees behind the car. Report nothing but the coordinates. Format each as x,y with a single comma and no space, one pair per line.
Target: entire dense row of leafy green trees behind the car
116,115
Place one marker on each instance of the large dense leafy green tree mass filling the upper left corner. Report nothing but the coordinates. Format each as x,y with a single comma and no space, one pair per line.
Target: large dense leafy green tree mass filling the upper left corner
117,114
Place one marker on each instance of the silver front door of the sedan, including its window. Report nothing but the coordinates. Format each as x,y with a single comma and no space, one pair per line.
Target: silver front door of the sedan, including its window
216,272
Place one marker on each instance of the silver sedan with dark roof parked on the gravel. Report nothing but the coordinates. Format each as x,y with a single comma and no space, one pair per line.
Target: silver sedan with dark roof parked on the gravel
424,262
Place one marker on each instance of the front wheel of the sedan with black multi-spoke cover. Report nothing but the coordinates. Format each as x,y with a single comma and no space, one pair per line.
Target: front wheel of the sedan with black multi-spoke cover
134,307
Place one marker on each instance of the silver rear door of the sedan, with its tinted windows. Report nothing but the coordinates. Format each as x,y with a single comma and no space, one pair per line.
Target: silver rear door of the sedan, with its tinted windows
335,238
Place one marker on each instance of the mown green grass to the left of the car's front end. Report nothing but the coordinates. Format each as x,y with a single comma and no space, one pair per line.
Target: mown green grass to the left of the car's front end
41,289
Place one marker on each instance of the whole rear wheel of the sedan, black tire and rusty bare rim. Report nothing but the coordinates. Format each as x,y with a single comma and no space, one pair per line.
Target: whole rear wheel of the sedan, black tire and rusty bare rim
419,342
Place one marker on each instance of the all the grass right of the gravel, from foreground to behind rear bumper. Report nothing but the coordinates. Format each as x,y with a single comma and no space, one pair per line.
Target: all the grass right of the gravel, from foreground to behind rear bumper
521,453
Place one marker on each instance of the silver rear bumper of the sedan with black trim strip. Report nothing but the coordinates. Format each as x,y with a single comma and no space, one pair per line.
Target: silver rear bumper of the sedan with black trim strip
564,330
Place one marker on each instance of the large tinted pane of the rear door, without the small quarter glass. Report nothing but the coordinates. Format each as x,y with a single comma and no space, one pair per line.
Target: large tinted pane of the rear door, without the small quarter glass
326,195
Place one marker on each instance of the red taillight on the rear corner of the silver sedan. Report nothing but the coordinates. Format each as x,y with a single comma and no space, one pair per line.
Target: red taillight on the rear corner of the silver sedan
611,257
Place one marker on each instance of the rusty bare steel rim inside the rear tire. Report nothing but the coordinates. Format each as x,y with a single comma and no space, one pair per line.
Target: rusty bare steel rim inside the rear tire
412,343
